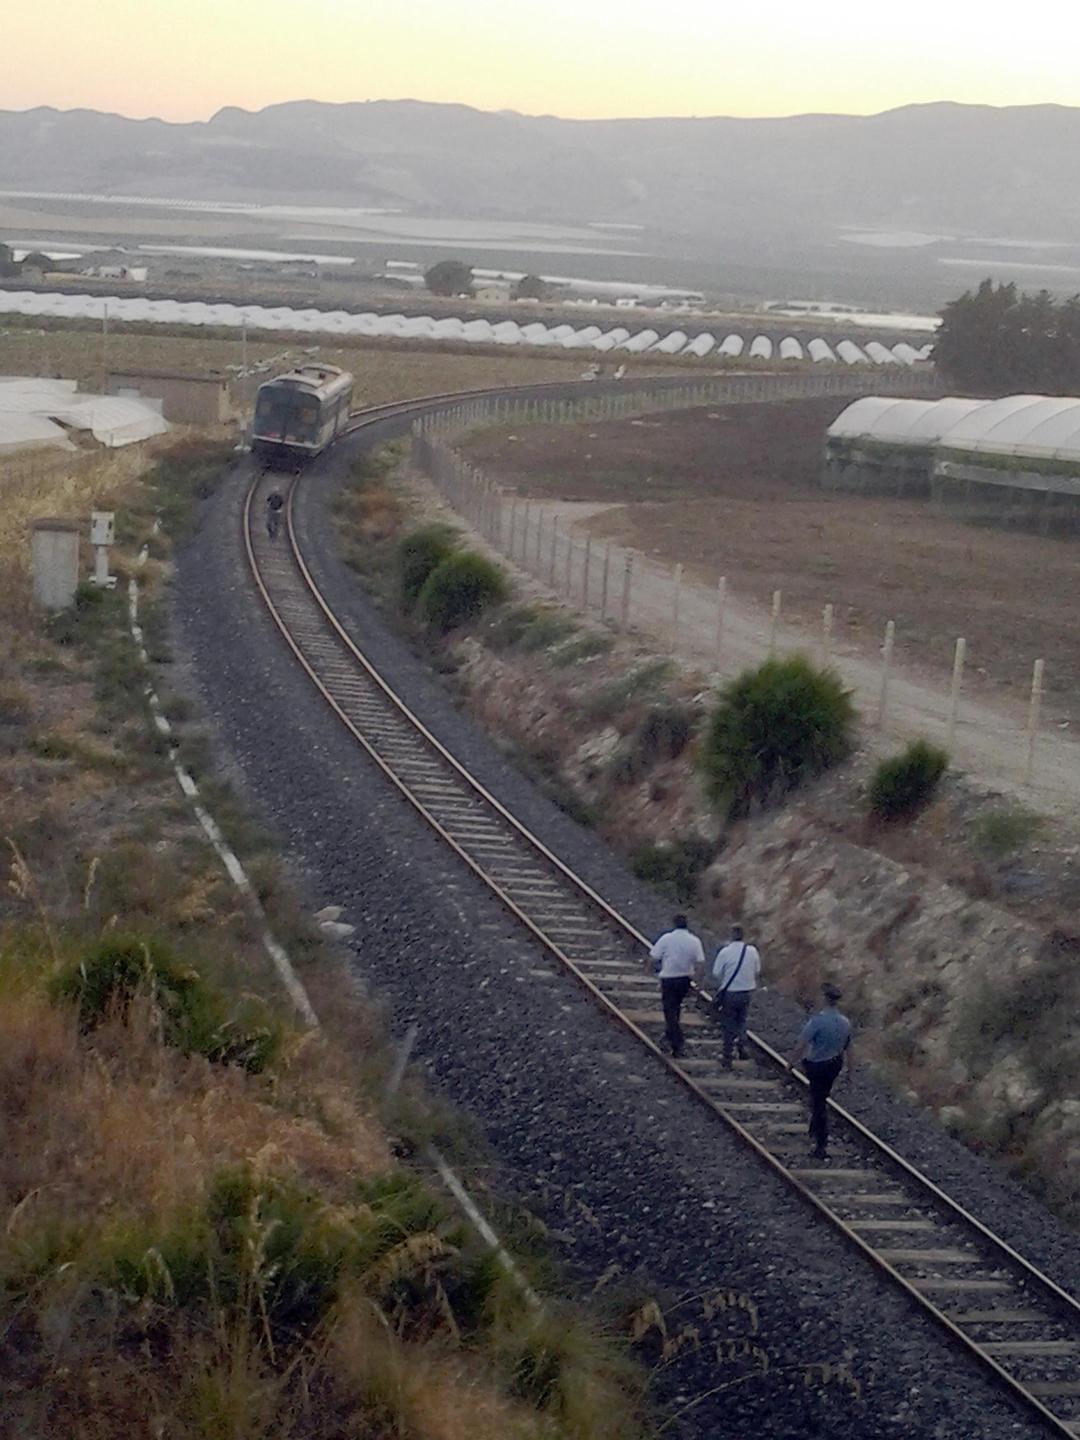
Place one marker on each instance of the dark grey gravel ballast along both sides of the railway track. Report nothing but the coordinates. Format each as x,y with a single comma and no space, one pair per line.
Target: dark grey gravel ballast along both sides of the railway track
601,1143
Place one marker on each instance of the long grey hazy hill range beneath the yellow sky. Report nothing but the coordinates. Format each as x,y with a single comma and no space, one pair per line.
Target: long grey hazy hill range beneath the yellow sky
955,169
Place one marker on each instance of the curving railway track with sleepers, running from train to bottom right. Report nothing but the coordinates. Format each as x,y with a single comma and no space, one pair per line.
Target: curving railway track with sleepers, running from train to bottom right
989,1300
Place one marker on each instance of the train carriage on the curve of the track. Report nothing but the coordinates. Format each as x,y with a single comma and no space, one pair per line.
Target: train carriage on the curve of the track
297,415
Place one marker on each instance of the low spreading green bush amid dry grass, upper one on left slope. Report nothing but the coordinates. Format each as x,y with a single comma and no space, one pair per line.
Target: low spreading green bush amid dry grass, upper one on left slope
195,1017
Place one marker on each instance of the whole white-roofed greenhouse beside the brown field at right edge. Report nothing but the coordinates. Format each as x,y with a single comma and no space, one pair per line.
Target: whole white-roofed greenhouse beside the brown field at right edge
1009,462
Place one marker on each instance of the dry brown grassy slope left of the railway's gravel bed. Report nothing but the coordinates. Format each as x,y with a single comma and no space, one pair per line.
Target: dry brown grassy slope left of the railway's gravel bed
189,1251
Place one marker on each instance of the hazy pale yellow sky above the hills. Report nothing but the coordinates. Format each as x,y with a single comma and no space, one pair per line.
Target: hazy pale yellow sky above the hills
182,60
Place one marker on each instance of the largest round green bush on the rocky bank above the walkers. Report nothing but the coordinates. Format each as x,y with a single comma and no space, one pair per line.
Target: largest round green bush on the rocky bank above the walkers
773,729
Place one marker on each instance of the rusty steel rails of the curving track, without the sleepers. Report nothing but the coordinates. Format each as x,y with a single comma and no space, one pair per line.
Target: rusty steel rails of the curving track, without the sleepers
1058,1298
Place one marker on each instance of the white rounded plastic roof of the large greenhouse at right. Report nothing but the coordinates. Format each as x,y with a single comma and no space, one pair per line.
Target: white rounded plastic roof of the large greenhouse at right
1036,427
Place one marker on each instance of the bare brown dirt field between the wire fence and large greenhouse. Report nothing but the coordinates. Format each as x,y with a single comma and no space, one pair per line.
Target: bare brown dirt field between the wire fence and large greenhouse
735,492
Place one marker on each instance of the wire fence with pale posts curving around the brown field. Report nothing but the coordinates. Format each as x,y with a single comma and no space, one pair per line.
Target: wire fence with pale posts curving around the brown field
703,623
